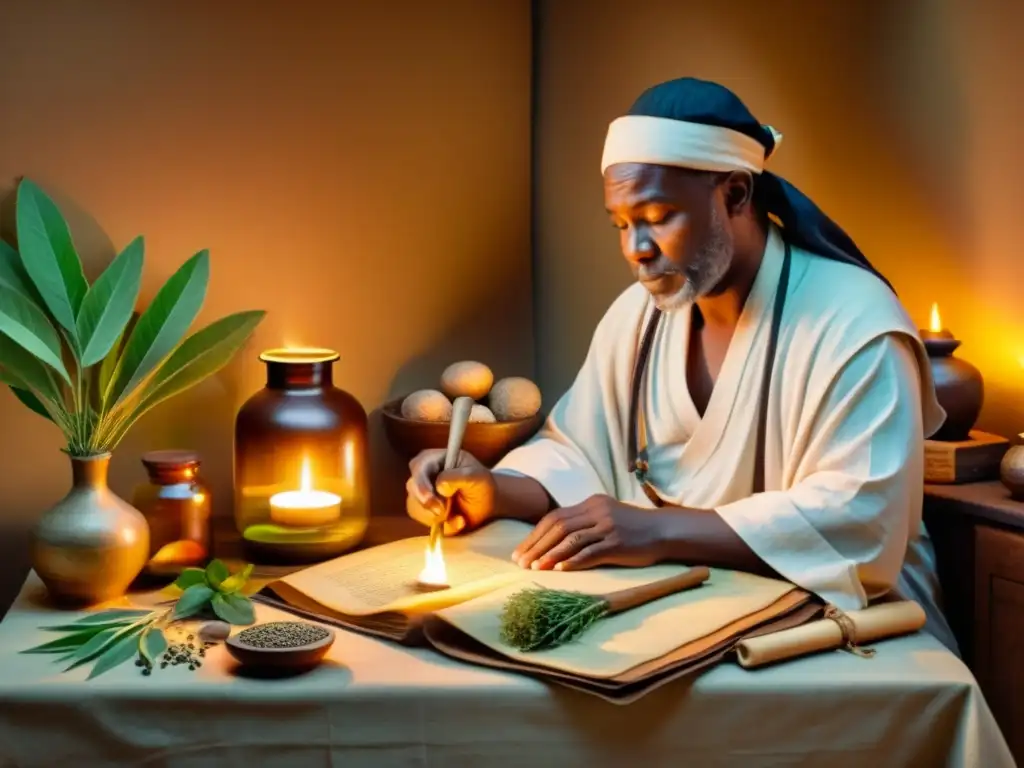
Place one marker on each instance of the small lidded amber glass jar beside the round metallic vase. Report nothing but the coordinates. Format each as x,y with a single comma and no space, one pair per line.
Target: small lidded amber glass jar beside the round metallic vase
177,505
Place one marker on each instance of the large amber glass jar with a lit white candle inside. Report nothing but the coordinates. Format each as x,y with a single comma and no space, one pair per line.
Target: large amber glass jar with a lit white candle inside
302,465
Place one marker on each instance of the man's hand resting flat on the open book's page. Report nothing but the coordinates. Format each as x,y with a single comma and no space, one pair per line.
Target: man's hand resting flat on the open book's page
602,531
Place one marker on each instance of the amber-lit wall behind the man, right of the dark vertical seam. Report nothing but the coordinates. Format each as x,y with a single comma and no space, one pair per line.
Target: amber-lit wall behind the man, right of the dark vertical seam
902,120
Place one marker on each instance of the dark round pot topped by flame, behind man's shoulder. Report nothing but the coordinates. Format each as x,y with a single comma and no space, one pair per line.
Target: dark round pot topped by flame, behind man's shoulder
959,388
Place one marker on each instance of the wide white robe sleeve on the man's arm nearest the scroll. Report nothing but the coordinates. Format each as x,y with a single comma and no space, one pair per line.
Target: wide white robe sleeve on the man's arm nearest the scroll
841,530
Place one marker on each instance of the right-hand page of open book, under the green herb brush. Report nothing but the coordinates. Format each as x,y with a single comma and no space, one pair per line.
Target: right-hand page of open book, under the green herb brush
621,643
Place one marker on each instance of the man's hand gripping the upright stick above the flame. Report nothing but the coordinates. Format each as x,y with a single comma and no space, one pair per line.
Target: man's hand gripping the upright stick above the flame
471,486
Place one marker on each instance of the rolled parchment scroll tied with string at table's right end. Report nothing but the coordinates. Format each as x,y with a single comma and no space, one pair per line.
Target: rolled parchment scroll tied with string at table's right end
838,630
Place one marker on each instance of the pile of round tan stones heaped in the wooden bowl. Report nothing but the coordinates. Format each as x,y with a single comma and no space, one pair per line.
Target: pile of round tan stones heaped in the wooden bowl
511,399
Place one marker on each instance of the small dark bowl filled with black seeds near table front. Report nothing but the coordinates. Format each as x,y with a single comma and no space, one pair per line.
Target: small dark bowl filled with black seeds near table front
283,647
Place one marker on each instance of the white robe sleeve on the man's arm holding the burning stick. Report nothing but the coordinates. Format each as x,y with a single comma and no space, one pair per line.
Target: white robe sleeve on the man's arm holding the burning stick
572,454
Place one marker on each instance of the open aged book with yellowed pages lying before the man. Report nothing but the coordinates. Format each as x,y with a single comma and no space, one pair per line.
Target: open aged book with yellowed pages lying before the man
623,657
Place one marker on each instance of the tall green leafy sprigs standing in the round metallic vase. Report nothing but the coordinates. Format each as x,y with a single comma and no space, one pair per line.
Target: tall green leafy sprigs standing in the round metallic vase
78,354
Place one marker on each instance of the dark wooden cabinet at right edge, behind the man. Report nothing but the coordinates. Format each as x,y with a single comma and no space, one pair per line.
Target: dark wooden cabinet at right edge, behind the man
978,532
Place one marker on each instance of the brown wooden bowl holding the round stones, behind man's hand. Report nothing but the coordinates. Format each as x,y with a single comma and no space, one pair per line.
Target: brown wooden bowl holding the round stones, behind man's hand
487,442
